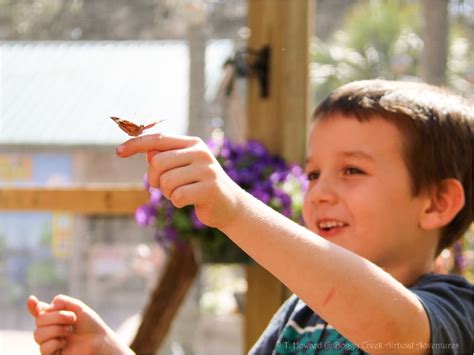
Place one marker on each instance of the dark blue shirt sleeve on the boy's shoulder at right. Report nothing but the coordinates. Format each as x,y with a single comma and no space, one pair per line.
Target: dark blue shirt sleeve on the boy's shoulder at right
448,301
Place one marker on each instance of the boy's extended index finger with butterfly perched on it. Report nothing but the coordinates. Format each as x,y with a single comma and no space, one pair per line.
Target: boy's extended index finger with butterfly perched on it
156,142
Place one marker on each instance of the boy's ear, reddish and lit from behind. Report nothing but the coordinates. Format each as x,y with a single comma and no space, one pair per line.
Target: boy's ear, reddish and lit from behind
446,199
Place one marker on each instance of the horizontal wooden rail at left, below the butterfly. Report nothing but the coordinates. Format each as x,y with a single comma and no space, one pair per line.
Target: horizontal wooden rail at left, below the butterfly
108,200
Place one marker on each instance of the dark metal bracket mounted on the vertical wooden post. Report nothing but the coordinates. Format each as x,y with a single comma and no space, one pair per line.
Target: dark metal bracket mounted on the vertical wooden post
254,62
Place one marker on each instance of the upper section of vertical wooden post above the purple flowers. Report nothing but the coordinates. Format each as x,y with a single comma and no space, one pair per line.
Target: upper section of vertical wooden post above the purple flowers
280,121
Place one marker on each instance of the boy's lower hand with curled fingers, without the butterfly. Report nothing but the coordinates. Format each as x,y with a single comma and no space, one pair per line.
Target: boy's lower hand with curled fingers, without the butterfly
69,326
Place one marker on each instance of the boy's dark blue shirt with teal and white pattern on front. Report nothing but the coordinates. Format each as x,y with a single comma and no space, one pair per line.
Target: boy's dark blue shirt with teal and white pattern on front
295,329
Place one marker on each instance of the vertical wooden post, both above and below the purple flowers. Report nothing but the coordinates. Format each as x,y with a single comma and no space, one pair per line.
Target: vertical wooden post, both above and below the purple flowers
279,121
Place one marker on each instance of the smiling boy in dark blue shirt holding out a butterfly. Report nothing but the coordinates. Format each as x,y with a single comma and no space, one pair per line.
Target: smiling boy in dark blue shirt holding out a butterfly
390,185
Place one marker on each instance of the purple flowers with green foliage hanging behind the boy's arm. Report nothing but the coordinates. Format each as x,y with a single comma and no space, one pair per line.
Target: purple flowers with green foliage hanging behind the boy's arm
267,177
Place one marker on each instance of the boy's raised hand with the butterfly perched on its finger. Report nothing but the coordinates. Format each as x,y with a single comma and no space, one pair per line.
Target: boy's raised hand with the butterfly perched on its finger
187,173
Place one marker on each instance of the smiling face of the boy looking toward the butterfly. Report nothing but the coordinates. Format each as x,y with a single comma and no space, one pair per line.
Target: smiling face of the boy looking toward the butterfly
359,193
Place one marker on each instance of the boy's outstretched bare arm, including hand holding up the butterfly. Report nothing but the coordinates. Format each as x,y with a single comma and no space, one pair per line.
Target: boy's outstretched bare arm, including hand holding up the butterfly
363,302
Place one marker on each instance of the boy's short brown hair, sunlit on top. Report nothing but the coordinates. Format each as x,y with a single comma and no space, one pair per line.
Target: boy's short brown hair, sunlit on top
437,127
